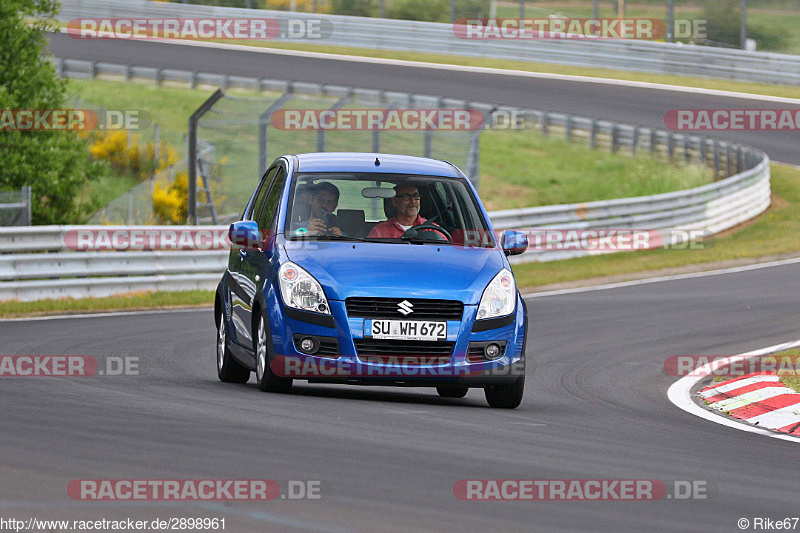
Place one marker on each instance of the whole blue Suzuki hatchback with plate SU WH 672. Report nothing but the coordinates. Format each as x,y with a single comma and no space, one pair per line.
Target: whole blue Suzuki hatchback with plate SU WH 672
371,269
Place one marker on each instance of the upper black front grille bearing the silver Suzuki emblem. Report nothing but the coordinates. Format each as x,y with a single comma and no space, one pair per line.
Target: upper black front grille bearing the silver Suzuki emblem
422,309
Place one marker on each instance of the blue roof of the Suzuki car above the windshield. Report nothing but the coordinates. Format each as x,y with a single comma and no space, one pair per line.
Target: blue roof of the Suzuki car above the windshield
365,162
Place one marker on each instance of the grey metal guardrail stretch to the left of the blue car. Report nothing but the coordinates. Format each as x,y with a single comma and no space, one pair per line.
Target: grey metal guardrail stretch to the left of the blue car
57,271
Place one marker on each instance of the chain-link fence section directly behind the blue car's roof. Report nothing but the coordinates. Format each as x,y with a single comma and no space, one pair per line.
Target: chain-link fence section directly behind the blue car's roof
242,136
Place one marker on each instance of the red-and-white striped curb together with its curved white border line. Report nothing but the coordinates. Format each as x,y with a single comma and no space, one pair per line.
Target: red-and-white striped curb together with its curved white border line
759,403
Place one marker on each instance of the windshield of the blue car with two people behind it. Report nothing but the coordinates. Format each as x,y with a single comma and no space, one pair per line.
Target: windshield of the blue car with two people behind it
385,208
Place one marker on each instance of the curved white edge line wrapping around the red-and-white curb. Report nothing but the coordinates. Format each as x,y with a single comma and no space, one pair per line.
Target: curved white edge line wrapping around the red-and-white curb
679,394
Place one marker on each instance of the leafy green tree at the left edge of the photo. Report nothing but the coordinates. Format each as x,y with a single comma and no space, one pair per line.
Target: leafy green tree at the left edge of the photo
56,164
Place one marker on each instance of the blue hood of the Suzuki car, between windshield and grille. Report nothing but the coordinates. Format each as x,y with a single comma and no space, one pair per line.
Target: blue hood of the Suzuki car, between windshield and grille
348,269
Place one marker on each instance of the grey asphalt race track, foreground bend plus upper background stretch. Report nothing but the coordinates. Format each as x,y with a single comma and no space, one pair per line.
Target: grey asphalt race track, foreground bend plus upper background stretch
595,405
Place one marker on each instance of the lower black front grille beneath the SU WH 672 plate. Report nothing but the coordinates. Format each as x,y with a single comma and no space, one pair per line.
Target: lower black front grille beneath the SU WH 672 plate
404,352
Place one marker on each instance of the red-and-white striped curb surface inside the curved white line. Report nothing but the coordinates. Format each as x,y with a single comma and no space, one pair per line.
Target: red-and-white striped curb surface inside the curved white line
759,399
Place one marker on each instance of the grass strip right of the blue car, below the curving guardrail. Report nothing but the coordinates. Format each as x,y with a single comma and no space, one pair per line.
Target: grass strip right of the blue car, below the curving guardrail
773,233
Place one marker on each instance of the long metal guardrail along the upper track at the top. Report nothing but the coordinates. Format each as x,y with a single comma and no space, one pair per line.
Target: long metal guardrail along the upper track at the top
431,37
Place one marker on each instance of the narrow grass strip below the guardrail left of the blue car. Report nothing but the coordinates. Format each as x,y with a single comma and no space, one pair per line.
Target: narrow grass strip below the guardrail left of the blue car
148,300
